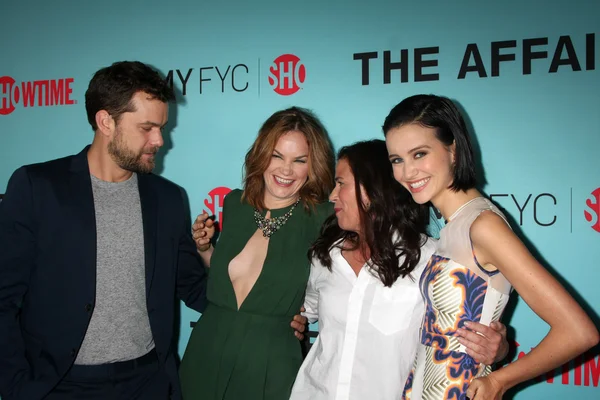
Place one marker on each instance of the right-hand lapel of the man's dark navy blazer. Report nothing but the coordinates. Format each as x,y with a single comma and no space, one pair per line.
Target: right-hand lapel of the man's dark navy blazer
149,204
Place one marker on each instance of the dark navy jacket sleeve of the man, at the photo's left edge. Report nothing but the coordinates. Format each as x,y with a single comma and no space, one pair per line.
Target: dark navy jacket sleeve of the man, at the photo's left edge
17,254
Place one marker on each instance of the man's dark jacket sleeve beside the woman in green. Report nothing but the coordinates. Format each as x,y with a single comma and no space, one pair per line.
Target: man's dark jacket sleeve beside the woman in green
191,274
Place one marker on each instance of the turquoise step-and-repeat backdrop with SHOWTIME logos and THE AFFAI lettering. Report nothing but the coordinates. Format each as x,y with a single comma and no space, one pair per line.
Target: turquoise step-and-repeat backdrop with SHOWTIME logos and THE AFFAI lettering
526,74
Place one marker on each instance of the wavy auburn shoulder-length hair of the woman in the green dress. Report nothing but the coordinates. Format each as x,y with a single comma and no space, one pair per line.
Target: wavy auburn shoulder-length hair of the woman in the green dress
320,157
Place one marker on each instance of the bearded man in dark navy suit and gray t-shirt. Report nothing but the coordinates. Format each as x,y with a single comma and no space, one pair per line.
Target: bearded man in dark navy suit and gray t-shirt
94,250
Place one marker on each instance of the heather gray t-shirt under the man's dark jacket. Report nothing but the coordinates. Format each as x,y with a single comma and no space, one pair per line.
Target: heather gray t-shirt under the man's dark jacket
119,329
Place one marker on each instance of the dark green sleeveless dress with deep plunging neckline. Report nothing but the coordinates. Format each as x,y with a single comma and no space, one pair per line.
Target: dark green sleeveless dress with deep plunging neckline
252,353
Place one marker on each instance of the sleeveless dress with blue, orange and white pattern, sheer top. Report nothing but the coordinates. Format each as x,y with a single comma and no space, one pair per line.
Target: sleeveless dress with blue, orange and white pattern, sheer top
455,289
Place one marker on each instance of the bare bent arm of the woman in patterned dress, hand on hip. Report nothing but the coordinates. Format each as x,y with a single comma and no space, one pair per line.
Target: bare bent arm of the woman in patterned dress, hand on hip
571,330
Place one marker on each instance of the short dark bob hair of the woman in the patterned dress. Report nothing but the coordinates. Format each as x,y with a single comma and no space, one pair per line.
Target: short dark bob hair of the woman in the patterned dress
441,114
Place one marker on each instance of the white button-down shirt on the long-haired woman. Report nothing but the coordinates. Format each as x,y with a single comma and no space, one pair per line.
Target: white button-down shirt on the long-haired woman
368,333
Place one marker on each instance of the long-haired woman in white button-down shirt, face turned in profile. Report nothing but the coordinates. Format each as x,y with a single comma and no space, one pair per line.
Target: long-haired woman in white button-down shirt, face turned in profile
363,285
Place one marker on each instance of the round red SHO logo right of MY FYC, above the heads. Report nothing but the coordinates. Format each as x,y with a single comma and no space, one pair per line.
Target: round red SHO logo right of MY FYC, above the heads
287,74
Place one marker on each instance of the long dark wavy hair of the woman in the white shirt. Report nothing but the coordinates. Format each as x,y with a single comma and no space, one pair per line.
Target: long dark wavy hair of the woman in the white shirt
392,224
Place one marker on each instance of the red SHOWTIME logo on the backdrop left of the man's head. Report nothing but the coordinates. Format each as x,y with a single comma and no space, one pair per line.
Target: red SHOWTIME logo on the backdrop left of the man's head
49,92
